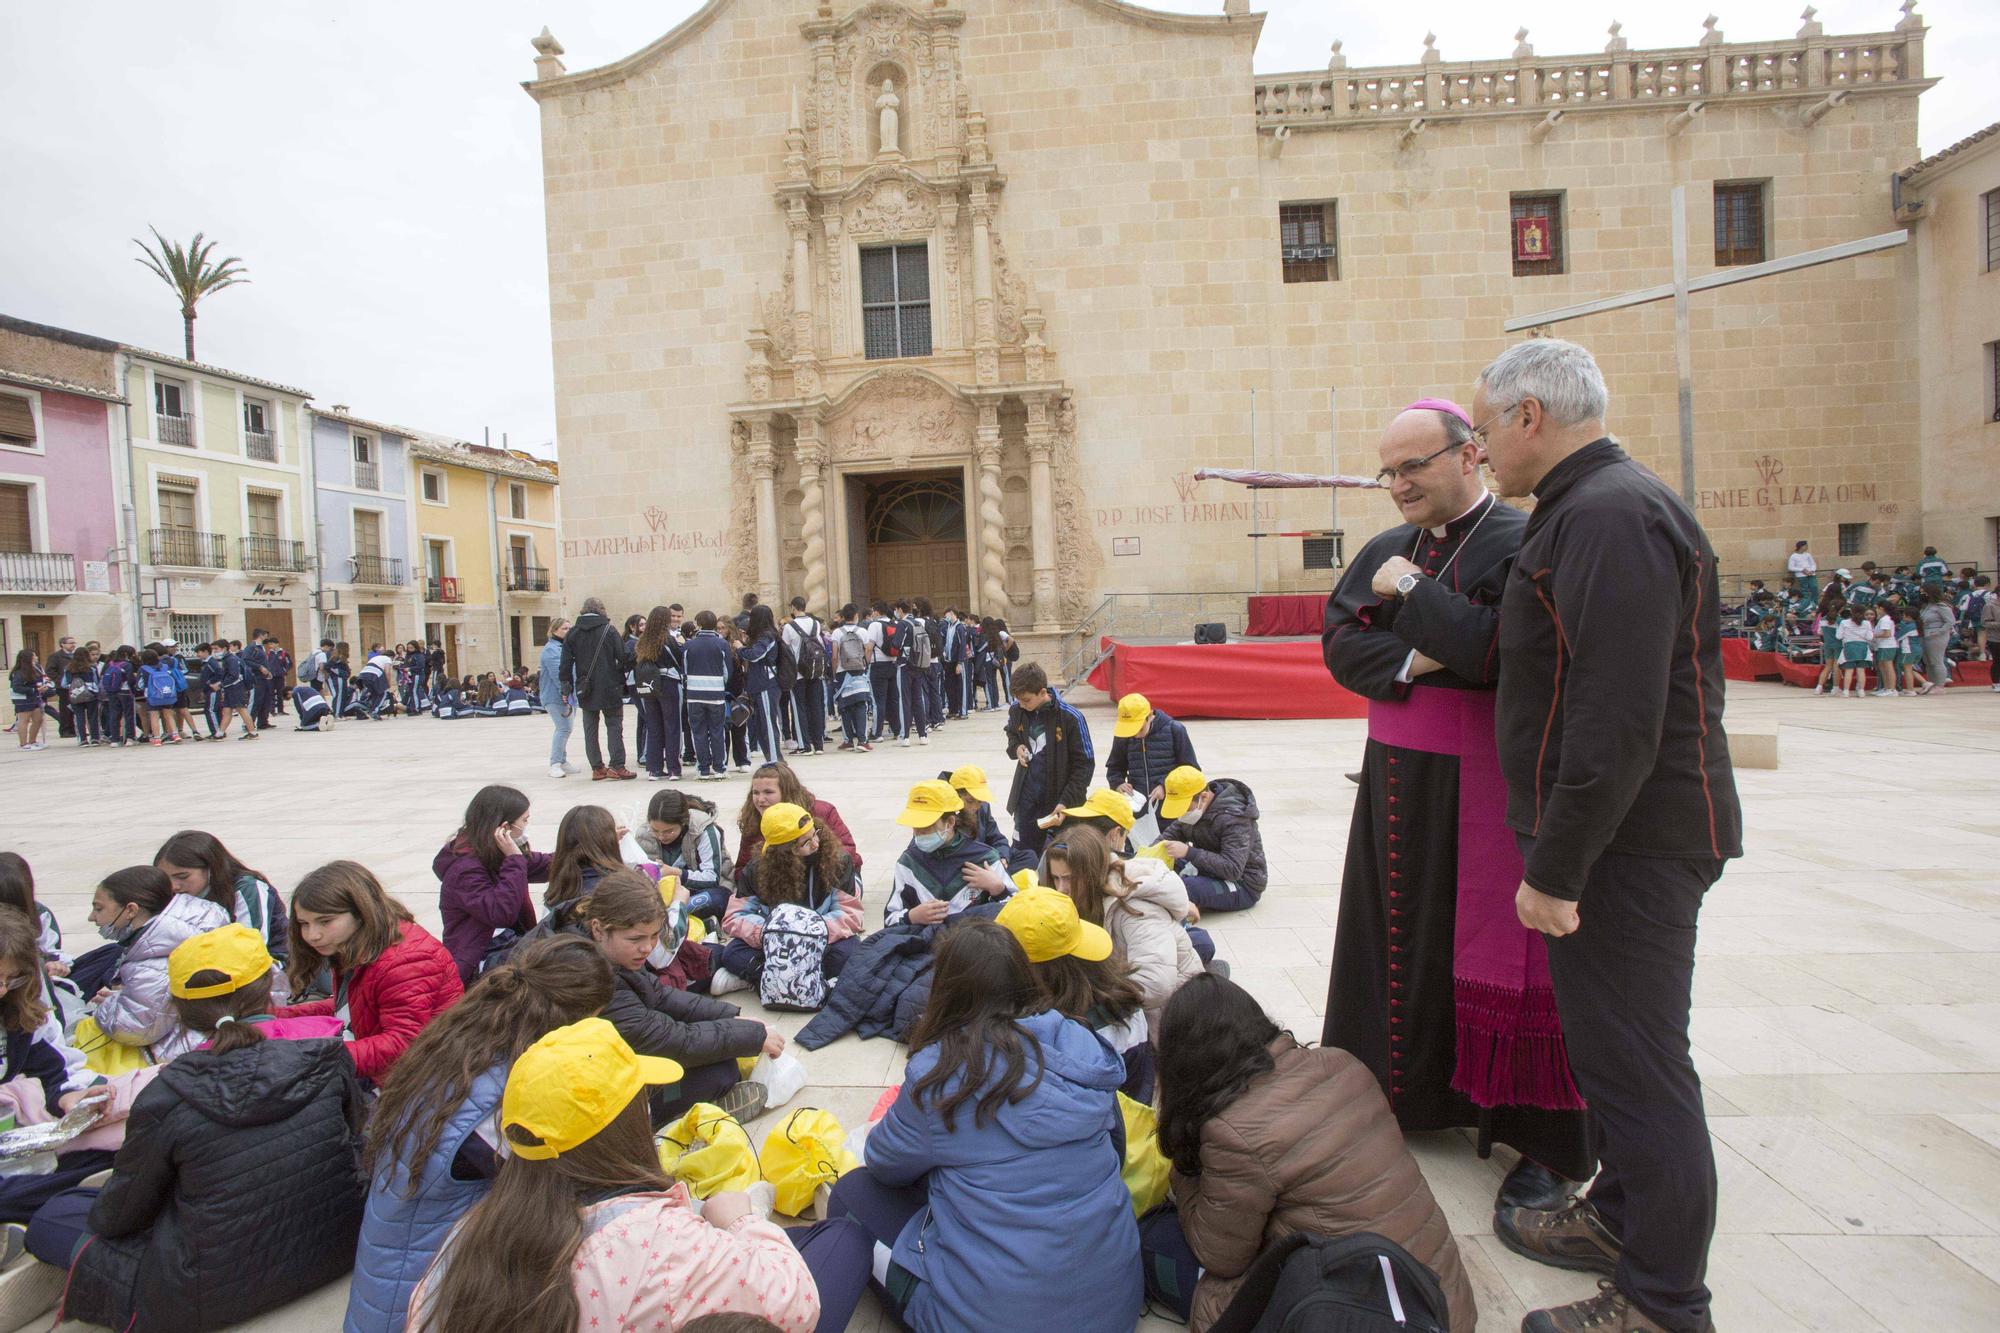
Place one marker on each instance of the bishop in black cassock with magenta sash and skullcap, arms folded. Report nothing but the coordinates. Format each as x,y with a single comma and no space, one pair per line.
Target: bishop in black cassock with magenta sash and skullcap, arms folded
1437,986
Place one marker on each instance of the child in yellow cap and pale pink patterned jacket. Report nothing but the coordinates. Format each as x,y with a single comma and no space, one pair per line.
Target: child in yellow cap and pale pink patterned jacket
585,1232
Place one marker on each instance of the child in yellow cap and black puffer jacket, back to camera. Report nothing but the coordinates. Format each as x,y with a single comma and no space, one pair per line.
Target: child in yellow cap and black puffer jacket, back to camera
235,1190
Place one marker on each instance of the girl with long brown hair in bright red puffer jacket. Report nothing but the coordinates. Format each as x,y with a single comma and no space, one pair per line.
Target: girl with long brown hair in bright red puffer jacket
391,976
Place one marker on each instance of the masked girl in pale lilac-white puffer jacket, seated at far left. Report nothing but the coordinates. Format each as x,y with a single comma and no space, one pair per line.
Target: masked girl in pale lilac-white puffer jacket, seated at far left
139,912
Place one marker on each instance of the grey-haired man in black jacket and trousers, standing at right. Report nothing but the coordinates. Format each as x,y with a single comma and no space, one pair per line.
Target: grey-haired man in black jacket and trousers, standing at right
1623,798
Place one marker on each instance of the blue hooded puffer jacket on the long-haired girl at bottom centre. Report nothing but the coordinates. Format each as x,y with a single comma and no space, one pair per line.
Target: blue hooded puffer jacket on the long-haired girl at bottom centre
1019,1202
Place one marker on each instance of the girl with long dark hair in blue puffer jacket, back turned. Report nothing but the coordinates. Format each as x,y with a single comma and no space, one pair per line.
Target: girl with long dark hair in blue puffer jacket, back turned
995,1172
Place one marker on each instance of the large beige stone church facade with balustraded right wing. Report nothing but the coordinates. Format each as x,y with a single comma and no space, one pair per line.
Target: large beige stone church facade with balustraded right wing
955,299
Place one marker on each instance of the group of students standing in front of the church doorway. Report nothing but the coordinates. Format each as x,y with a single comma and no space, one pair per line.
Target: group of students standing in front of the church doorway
709,692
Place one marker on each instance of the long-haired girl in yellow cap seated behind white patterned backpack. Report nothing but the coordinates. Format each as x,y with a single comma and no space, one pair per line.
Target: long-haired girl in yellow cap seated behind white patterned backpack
803,866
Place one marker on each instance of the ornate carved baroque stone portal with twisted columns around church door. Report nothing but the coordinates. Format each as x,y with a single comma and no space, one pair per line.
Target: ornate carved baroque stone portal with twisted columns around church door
887,149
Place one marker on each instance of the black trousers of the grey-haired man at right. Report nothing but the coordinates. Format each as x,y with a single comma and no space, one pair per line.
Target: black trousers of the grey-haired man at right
1625,986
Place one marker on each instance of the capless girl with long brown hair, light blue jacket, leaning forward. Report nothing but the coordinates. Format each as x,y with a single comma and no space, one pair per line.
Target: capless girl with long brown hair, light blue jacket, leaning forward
433,1152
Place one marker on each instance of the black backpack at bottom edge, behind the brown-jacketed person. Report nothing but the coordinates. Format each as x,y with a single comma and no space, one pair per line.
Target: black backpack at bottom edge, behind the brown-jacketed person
1359,1284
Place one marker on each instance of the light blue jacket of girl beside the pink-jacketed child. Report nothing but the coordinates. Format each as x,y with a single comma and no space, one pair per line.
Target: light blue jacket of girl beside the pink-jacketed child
401,1236
